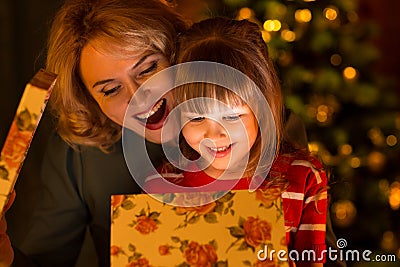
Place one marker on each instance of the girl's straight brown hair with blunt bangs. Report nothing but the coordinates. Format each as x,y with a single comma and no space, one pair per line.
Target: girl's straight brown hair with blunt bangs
239,45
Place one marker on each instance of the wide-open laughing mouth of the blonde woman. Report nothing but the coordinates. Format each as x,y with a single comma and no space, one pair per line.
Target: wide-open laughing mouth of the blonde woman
155,117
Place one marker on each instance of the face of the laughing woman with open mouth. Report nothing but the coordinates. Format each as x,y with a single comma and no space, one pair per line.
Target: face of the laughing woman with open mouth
112,82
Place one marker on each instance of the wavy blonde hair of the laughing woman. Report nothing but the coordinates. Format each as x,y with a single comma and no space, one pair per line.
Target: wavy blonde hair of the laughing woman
132,26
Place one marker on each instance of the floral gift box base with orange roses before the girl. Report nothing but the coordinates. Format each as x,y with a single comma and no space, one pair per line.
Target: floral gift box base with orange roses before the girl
235,228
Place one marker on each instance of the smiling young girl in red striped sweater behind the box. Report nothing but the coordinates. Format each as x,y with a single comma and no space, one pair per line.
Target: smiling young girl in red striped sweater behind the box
223,128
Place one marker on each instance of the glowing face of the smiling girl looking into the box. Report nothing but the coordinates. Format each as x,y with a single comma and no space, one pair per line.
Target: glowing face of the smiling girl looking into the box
222,138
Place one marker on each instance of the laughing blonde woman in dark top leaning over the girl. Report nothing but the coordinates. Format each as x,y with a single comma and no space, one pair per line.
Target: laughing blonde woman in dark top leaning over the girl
102,52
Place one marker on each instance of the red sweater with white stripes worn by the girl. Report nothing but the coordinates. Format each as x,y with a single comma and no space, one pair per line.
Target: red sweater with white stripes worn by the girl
304,201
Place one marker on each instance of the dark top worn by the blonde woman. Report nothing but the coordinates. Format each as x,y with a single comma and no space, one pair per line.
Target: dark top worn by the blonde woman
75,193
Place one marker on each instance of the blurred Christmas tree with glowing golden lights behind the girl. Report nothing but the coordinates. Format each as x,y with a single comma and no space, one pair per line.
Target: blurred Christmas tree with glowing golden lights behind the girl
325,58
